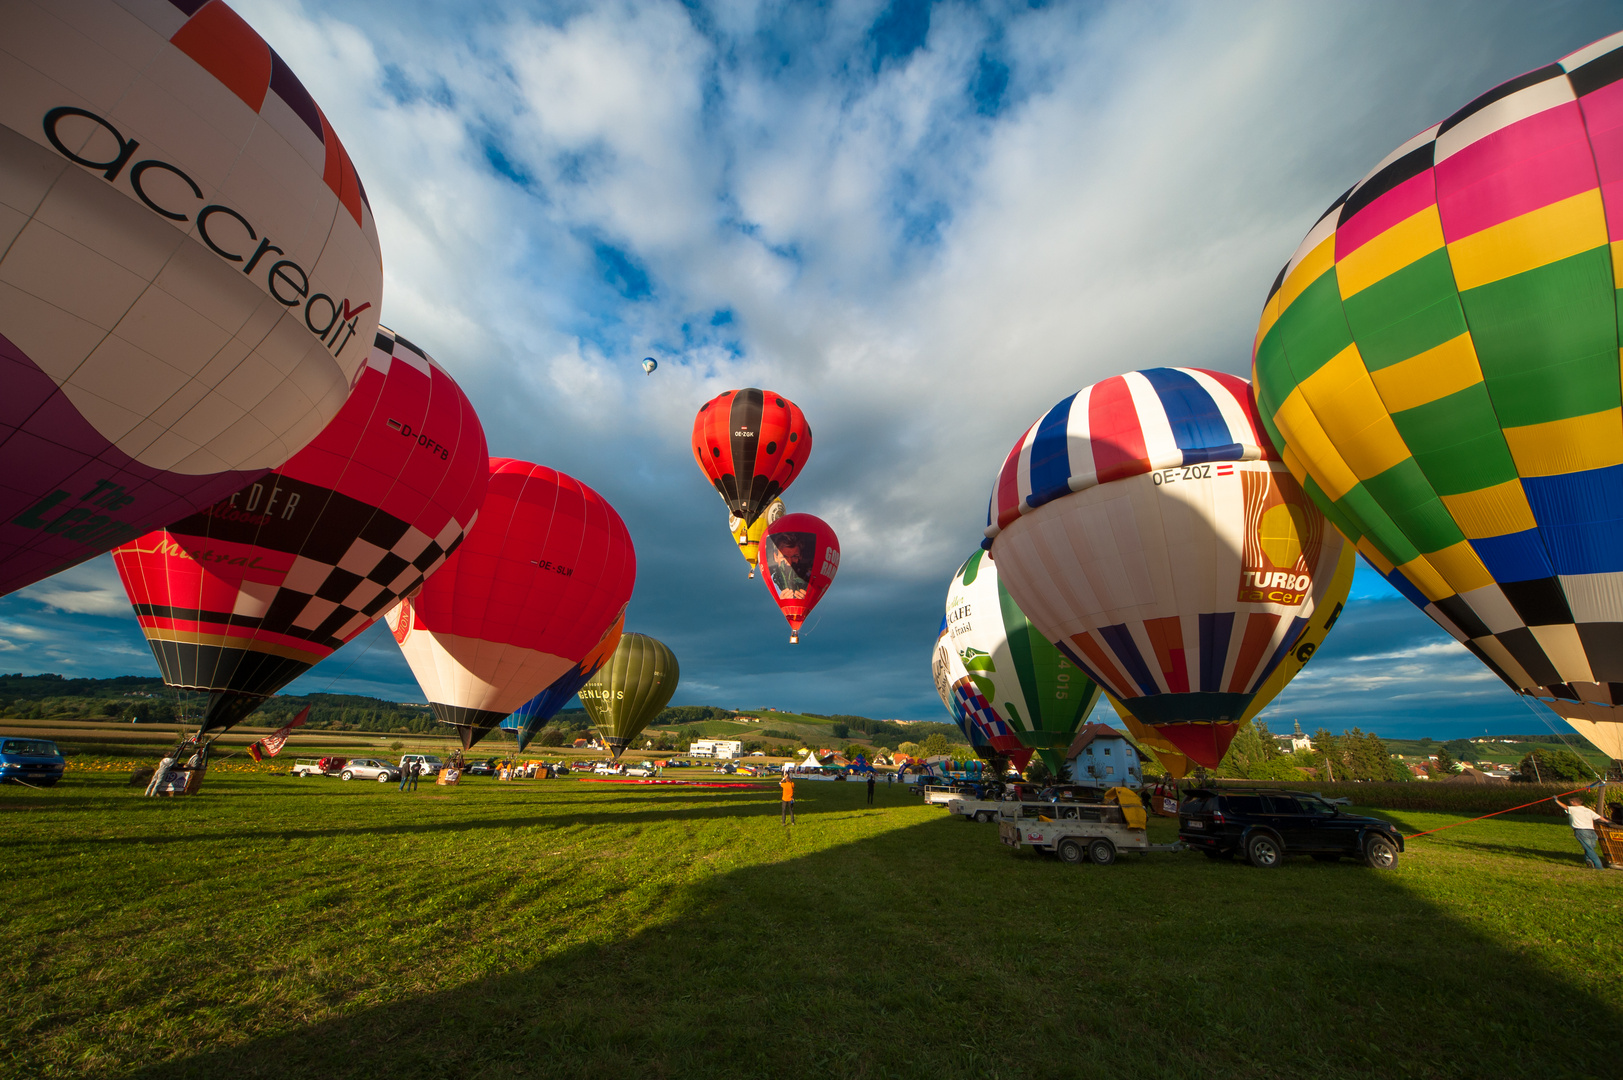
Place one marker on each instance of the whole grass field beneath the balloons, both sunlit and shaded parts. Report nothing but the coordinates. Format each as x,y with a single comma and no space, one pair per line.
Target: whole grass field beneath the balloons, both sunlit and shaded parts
291,928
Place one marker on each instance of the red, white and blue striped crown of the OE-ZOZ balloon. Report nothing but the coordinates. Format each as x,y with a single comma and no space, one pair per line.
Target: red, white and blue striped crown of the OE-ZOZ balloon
1129,426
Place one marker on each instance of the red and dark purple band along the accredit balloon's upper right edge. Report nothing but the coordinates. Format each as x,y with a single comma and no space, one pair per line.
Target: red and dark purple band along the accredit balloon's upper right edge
223,43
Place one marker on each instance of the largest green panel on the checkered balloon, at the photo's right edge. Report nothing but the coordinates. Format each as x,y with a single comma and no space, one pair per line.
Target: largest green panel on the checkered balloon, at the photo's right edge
1548,340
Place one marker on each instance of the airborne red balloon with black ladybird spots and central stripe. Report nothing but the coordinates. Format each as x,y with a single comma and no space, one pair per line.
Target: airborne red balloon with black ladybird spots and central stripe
752,446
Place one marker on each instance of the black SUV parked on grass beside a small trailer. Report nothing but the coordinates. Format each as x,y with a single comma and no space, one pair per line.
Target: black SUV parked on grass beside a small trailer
1268,826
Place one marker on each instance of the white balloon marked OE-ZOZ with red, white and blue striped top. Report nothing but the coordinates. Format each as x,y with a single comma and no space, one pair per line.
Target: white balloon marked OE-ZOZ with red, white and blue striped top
1147,527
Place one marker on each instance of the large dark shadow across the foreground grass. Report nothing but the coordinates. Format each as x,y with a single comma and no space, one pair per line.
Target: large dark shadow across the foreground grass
931,951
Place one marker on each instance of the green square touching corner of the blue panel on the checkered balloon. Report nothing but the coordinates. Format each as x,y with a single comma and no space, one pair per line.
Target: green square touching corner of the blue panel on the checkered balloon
1458,443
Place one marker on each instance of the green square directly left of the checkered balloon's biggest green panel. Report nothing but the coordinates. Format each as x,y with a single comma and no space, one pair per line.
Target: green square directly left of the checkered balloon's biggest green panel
1406,314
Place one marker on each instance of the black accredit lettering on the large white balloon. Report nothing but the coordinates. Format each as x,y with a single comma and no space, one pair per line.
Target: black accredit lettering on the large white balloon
334,322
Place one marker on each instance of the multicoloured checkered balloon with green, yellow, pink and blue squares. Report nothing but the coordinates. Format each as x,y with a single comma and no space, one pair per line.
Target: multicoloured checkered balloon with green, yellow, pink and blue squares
1439,365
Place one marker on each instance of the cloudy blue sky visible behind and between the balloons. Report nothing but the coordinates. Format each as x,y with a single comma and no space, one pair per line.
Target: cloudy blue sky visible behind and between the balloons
924,223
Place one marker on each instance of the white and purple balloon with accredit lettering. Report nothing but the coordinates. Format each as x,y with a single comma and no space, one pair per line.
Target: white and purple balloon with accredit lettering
191,272
